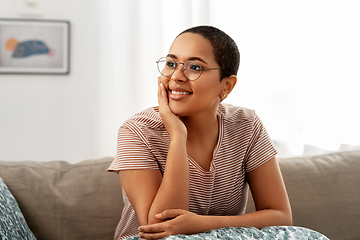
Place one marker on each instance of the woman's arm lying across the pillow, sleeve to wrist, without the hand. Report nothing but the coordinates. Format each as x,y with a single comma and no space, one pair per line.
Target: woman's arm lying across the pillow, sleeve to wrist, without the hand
270,198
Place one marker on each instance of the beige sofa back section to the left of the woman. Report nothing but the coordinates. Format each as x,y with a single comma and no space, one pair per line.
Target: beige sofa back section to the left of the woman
66,201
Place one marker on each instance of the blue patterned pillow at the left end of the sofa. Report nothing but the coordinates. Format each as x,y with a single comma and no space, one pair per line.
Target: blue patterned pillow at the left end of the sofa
12,221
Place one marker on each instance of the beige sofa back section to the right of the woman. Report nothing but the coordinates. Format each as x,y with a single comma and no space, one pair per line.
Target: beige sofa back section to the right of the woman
324,193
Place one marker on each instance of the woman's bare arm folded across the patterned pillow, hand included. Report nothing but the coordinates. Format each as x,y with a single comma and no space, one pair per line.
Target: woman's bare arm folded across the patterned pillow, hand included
271,201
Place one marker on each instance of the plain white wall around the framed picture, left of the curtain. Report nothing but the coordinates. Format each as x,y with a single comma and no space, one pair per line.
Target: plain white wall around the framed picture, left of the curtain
52,117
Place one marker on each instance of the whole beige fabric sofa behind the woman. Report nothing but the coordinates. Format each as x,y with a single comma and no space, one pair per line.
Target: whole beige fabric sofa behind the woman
60,200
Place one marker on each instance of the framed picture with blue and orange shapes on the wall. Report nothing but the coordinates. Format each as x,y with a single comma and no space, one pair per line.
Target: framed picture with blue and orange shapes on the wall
34,46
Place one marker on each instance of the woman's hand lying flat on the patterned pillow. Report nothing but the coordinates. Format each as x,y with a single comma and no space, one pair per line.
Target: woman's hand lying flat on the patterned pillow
179,222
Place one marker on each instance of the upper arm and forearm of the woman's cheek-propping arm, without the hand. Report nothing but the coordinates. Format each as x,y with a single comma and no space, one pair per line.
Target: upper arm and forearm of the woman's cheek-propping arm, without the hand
150,193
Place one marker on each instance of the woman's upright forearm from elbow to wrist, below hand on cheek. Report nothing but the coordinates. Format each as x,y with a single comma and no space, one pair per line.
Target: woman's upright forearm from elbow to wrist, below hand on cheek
173,192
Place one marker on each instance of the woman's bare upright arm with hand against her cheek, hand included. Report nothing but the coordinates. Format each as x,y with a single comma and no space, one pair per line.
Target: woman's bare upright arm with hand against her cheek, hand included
151,193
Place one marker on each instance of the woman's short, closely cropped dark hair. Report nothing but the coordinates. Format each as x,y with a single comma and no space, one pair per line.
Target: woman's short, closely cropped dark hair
226,52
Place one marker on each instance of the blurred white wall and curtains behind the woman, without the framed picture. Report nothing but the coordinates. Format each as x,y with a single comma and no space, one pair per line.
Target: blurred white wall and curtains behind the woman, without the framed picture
299,70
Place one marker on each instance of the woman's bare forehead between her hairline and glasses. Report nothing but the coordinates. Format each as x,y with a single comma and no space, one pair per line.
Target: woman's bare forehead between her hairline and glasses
189,45
